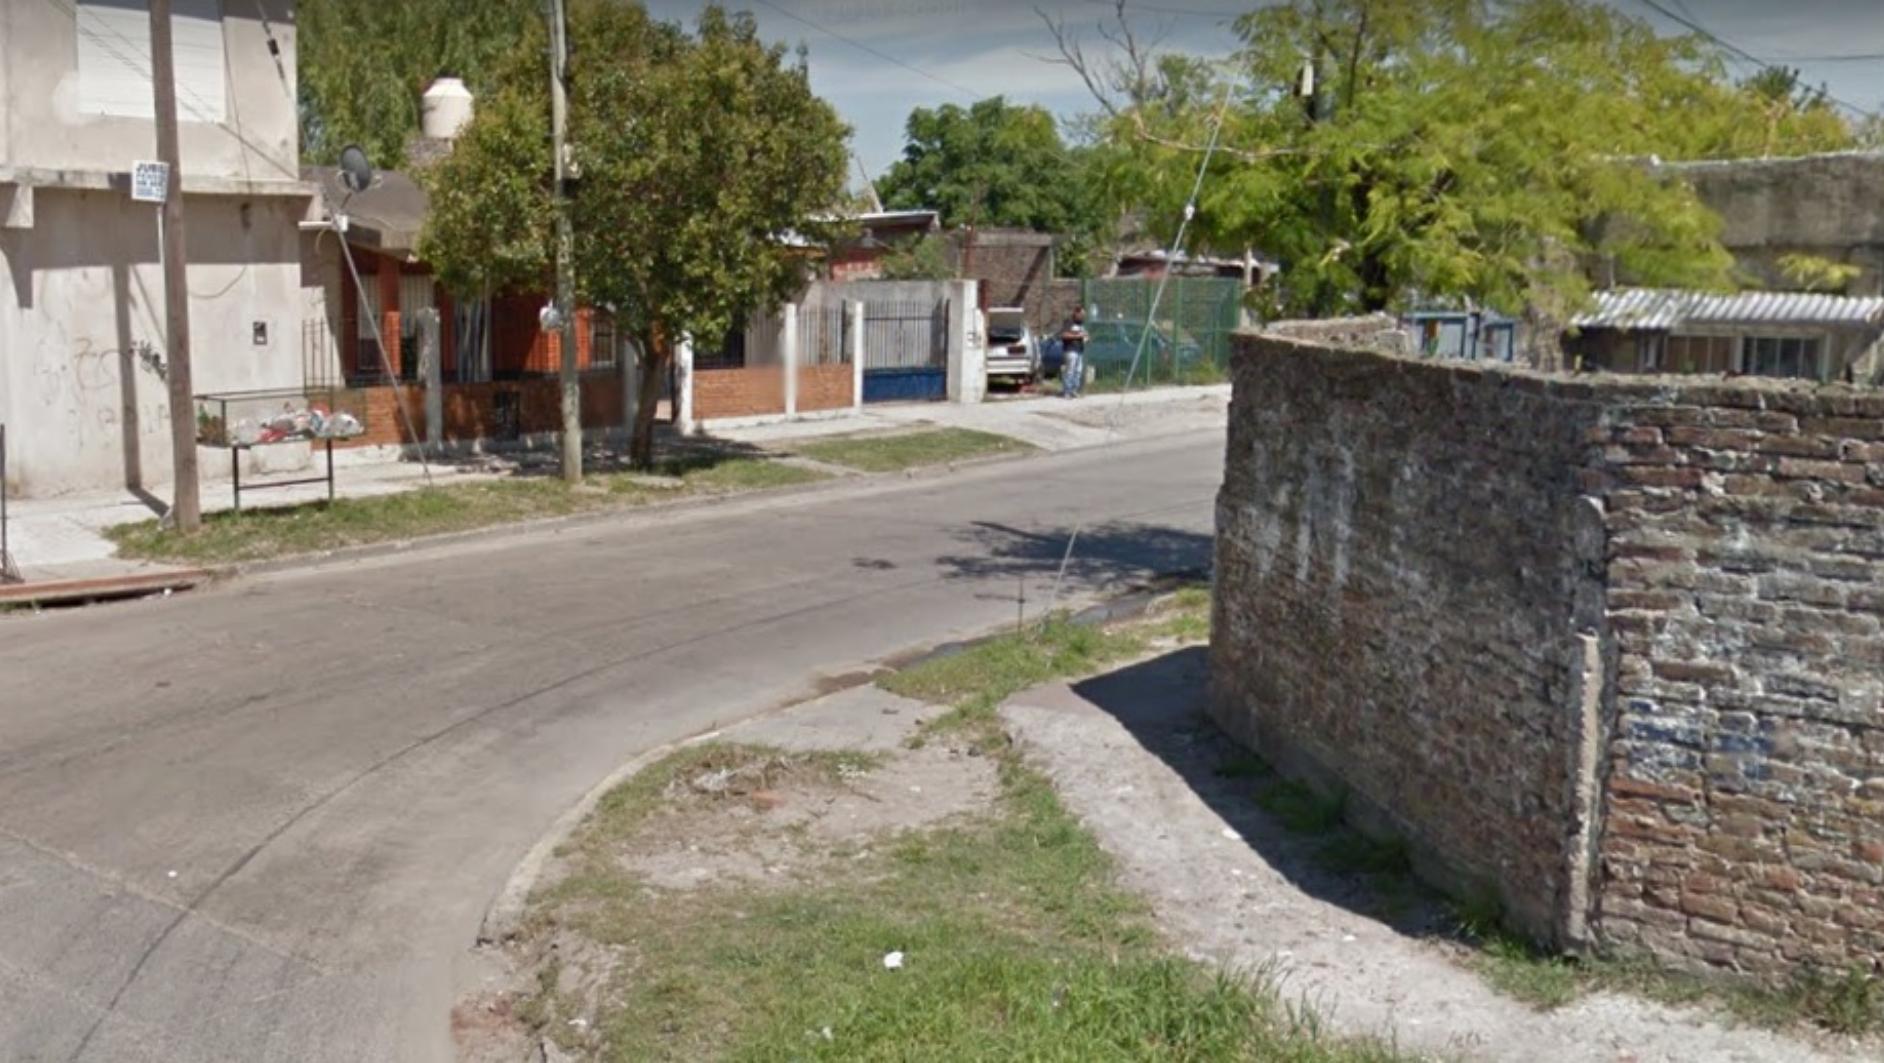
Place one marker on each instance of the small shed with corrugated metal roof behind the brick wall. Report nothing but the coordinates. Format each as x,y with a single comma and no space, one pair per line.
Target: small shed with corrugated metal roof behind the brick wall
1762,335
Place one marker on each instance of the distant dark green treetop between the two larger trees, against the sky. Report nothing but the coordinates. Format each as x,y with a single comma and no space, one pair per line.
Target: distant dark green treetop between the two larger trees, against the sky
996,165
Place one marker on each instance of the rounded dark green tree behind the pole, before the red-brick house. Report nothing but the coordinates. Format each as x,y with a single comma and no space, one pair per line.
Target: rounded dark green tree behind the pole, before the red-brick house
700,155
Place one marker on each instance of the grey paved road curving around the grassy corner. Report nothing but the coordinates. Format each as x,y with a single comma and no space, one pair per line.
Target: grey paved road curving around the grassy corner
265,821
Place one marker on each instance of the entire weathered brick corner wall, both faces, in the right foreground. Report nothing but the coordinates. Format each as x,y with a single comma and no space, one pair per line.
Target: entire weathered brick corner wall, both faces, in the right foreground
1608,646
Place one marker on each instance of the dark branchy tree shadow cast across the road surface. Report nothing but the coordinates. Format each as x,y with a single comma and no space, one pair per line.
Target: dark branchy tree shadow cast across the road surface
1105,555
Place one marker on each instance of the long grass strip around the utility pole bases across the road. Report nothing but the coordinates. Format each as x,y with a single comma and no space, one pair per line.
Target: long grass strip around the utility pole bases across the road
263,534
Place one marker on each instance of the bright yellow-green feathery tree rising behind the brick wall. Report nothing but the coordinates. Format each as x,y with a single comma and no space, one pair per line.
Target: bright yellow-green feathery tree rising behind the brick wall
1455,150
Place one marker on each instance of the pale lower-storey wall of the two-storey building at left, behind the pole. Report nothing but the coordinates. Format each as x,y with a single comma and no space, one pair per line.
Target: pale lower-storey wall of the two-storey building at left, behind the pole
84,289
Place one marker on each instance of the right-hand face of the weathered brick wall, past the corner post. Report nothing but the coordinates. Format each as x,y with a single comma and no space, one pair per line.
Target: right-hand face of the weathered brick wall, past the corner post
1747,591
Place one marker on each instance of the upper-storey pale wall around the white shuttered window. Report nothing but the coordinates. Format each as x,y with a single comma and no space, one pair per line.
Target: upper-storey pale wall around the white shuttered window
42,127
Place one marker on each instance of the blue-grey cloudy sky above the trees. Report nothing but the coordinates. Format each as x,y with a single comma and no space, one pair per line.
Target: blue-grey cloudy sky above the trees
881,59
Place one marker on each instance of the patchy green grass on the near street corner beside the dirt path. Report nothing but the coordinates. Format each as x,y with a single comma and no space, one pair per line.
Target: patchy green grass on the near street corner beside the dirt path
1018,941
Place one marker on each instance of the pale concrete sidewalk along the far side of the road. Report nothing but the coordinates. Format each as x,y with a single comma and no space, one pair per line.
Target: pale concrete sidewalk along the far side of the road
63,538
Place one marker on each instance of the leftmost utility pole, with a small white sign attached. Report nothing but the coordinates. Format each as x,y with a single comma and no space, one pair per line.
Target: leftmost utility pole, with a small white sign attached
186,508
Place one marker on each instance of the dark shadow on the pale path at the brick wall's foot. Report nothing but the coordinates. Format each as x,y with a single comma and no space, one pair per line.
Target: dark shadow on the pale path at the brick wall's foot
1163,706
